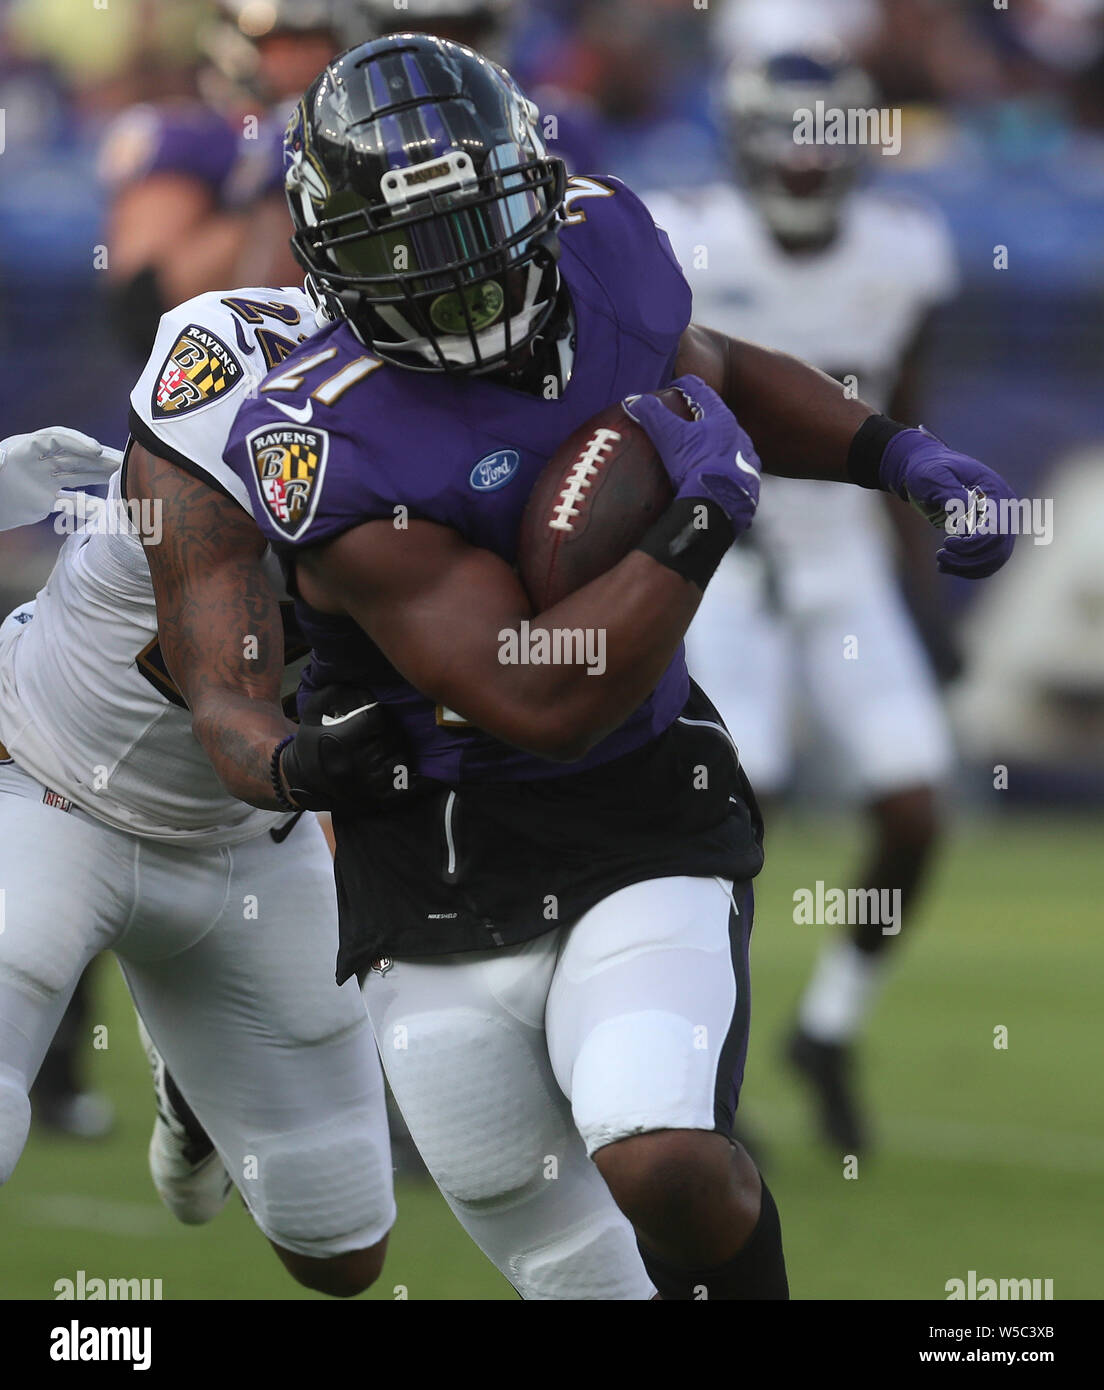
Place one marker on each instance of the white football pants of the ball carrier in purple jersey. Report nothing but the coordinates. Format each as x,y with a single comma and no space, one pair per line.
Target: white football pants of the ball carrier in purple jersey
512,1067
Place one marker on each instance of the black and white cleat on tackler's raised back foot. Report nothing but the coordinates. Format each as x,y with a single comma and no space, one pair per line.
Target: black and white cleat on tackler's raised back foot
184,1163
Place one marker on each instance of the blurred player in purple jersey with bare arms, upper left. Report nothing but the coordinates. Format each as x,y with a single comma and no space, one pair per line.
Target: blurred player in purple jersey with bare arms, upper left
197,186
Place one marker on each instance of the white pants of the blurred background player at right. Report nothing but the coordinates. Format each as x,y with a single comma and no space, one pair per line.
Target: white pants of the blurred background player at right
852,665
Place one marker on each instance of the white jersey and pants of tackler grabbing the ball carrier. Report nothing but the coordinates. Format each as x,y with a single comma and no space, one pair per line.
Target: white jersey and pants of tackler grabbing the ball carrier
116,833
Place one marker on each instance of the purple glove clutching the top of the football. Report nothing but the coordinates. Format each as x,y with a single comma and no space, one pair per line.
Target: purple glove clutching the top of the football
710,457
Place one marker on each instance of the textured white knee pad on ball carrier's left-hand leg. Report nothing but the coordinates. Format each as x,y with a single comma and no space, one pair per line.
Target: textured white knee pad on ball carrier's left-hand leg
485,1143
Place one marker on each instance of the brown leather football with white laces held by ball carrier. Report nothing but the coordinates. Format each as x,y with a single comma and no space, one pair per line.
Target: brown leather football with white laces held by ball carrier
596,498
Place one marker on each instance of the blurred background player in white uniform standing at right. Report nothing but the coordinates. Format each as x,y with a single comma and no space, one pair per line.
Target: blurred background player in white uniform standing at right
806,618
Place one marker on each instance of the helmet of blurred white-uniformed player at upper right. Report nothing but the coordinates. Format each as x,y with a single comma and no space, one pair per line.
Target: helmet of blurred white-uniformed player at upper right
799,188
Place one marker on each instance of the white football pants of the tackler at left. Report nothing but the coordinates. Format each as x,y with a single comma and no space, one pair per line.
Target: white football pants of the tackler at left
229,957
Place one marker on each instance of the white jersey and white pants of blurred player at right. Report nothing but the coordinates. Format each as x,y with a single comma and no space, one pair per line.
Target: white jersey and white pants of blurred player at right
818,559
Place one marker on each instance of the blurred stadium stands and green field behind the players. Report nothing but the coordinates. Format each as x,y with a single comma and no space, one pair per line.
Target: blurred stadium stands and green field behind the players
988,1160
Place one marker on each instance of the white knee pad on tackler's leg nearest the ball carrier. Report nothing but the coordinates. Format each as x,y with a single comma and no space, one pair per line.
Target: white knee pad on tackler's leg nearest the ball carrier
322,1192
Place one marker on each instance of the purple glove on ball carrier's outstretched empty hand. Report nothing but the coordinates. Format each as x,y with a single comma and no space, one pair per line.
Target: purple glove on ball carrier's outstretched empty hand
956,493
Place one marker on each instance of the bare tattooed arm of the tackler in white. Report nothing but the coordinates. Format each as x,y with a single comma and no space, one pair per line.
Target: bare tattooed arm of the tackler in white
219,623
